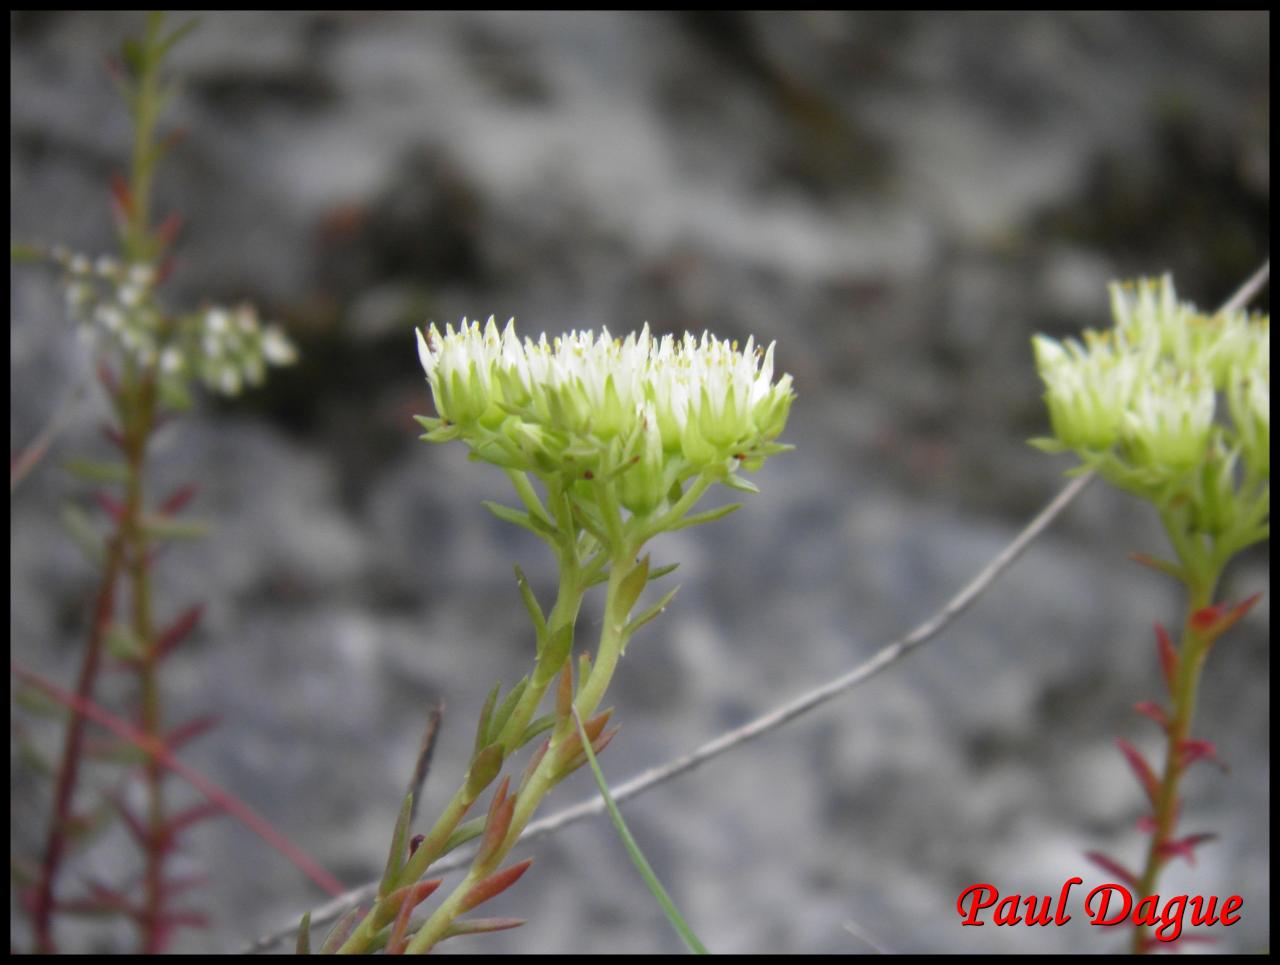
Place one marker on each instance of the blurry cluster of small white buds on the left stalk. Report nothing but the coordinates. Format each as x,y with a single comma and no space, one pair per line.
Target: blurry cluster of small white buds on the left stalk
227,349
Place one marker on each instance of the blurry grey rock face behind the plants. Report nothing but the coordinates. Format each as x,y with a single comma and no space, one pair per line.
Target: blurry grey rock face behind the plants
902,202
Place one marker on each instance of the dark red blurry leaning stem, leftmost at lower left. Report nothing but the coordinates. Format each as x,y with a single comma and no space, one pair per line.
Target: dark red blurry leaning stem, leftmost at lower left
68,767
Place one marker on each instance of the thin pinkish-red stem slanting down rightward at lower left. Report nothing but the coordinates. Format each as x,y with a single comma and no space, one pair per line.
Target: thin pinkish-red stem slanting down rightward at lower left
161,752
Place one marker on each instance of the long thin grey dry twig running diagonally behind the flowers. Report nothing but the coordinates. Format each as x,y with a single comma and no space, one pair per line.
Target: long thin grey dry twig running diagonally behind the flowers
888,656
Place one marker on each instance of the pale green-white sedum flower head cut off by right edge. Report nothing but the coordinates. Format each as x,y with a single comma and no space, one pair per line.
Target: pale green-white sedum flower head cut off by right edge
1171,404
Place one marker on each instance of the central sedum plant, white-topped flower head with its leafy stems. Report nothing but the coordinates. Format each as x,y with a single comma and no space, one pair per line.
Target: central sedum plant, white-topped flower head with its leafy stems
623,438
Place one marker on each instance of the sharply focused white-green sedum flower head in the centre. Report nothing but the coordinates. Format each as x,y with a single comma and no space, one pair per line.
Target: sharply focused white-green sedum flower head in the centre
641,414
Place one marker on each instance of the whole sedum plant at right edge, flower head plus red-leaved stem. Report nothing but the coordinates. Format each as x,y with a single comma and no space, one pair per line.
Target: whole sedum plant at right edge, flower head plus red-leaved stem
1144,404
